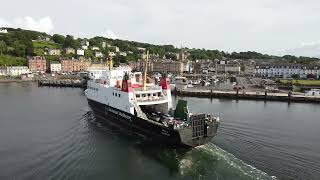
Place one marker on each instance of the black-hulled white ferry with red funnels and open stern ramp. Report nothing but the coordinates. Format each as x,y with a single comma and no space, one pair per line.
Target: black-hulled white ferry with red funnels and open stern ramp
128,101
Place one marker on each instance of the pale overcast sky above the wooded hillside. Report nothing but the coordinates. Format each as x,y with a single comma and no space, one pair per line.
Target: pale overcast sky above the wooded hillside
270,26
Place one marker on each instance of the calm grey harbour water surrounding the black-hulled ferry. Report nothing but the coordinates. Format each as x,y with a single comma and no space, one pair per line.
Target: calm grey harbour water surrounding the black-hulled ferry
50,133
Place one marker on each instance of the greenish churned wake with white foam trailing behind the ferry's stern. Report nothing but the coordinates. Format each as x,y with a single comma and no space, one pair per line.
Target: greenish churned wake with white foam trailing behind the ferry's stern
211,162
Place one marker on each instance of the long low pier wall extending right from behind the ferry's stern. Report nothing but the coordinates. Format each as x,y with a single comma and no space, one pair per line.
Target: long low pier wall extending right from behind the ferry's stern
265,96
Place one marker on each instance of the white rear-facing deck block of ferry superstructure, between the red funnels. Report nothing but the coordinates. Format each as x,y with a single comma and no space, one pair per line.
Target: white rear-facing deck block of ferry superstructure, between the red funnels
150,96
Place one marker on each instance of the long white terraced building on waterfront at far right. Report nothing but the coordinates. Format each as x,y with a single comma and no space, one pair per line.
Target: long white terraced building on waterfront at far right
286,71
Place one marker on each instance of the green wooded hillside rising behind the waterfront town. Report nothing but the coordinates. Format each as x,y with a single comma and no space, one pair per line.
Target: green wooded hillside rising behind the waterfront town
23,43
